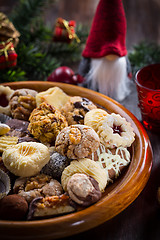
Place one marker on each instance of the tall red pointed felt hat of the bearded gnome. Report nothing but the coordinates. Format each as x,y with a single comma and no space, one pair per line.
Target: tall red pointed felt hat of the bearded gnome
108,31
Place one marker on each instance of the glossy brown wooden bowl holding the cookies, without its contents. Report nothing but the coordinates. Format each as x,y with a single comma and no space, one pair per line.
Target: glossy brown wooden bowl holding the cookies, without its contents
117,196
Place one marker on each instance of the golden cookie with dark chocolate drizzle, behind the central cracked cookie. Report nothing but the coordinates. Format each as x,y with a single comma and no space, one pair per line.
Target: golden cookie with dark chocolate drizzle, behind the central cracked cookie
75,109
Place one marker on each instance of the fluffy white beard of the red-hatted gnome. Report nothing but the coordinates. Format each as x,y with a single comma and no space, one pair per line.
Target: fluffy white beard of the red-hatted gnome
109,77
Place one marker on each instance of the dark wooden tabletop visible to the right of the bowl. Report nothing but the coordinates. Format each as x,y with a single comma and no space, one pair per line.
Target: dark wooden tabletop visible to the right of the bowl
141,220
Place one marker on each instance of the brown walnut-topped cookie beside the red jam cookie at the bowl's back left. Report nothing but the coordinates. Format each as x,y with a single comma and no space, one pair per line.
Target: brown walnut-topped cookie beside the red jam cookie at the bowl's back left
22,103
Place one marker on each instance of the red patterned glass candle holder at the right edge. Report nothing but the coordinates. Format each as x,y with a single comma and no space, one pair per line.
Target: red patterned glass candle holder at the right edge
148,86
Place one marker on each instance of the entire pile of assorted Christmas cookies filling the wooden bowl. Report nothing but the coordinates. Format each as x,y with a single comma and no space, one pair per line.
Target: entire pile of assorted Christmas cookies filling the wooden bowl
58,152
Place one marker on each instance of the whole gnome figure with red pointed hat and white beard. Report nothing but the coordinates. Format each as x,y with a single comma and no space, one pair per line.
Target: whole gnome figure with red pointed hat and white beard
104,62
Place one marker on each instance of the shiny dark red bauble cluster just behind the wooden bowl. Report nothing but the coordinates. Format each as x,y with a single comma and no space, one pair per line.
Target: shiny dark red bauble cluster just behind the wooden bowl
66,75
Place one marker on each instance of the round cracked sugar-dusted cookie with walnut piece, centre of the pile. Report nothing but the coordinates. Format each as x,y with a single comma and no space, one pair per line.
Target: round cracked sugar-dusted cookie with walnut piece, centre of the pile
77,141
